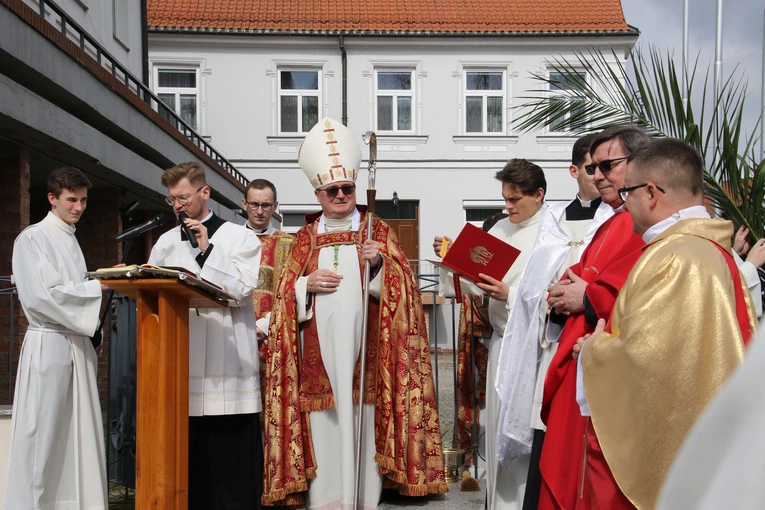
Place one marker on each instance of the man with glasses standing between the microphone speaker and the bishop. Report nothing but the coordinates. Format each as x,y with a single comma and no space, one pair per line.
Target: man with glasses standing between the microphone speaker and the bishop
260,204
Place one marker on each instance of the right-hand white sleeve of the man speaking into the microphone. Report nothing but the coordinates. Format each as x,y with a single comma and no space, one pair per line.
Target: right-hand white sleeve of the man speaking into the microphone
237,271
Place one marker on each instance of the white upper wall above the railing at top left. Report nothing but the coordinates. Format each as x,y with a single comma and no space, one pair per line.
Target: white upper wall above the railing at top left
114,24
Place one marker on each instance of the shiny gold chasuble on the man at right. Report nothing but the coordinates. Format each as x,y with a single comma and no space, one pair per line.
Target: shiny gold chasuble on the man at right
674,341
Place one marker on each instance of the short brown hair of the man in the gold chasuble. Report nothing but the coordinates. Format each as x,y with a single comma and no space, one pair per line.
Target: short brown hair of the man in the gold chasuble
674,163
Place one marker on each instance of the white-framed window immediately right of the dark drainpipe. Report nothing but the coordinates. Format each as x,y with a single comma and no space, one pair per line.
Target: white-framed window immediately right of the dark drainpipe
394,92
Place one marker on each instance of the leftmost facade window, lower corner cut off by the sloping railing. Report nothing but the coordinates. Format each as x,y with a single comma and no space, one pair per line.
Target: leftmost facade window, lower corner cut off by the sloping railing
179,90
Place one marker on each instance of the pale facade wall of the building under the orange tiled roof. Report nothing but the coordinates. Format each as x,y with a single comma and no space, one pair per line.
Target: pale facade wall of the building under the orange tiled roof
438,166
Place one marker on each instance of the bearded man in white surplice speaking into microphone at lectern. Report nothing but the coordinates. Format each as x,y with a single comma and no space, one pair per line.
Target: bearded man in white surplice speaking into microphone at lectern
225,449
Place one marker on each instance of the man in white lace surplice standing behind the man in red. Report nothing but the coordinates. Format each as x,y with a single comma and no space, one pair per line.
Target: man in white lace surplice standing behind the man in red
565,230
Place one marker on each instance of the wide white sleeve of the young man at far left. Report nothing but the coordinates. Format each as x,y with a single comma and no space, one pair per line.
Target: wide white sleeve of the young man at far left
47,295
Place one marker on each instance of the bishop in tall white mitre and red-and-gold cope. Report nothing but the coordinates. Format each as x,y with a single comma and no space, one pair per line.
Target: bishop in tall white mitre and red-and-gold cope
314,347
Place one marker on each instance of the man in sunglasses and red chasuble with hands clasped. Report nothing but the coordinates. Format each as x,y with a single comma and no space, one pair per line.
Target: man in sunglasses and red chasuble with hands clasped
586,292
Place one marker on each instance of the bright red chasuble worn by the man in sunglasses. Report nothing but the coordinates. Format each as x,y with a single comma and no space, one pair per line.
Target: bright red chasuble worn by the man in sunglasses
605,265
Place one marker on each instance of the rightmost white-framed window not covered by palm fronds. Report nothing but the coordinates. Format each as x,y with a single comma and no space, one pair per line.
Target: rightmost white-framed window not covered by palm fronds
485,102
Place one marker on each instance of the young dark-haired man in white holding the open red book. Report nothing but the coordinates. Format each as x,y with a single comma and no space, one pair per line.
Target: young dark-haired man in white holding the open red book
523,188
